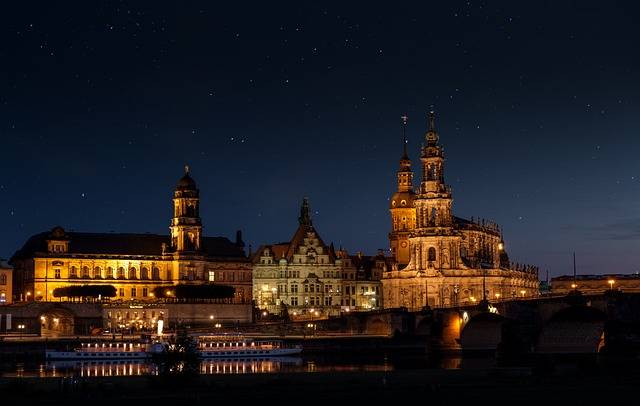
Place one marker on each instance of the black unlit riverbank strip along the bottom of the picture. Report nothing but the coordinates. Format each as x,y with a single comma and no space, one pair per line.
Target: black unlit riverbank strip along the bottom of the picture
614,383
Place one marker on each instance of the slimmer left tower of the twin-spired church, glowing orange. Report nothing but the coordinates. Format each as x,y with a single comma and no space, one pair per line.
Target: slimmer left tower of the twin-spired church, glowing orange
403,214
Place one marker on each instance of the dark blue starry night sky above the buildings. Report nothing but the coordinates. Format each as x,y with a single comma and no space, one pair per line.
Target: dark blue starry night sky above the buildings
103,103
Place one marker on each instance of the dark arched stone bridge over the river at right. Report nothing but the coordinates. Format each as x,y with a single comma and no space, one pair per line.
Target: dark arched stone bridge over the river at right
544,325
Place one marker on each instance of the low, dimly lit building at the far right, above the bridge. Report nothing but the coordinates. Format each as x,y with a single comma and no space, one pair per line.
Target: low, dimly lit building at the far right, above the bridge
595,284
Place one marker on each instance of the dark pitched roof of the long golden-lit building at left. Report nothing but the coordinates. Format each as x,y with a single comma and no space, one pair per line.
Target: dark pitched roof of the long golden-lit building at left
124,244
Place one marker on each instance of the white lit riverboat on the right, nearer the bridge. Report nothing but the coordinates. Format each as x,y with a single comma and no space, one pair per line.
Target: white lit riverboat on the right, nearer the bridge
240,347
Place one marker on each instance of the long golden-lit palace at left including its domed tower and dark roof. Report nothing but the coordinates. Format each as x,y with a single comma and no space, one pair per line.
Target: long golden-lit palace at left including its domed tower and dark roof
134,264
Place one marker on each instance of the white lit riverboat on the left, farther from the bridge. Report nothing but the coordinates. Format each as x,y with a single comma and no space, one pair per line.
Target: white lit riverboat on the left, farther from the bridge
105,351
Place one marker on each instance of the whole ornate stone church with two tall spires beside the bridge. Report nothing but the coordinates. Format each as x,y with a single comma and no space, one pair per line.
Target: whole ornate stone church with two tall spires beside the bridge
444,260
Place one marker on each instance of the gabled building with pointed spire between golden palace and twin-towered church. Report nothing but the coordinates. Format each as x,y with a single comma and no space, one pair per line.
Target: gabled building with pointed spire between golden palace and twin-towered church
312,279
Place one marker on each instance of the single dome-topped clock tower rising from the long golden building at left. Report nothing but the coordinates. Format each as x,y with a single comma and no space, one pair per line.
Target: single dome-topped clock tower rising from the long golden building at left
186,226
